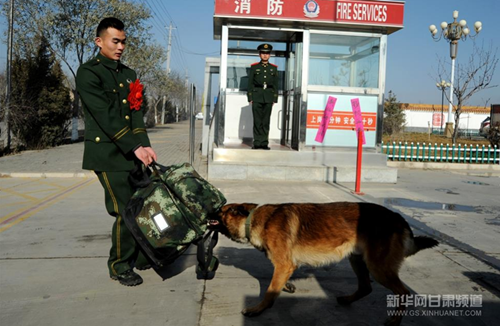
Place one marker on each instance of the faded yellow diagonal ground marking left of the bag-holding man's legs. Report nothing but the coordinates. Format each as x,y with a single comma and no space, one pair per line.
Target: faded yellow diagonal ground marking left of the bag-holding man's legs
16,217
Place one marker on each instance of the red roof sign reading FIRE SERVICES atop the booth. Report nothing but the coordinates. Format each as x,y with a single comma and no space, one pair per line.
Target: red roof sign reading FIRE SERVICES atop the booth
383,13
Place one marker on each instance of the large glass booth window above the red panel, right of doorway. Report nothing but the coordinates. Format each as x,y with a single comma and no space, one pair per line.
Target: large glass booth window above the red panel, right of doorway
345,61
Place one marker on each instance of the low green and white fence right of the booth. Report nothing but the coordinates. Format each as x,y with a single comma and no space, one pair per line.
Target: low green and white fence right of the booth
446,154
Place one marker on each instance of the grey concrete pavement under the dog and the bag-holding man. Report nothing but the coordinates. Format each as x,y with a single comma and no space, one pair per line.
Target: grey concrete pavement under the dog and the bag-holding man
55,235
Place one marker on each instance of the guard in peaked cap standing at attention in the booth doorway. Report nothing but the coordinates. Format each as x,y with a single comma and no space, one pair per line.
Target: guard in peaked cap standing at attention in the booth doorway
262,94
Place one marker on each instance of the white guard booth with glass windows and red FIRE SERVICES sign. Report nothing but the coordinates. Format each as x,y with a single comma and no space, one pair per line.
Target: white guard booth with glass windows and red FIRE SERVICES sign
322,48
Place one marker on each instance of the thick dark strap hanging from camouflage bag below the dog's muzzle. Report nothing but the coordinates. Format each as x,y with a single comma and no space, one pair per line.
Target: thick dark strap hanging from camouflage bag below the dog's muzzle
207,263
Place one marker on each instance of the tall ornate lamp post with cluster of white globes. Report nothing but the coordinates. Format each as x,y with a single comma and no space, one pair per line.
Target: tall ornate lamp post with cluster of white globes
452,33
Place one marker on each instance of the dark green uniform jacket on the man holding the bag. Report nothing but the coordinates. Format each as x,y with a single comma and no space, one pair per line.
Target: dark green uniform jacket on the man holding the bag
112,130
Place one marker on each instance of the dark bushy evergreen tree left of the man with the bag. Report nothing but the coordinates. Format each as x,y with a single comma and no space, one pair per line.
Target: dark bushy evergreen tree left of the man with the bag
41,106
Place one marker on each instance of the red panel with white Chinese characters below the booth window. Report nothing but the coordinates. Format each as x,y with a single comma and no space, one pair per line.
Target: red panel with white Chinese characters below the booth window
341,120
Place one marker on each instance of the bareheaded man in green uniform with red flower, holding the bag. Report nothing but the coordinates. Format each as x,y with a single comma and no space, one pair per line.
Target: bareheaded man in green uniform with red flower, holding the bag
115,139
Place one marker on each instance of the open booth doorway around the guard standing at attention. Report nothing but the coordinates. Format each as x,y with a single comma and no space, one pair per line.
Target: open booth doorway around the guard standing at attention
241,53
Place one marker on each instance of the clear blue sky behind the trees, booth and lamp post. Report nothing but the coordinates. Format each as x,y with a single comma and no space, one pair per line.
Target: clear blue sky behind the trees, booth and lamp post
413,56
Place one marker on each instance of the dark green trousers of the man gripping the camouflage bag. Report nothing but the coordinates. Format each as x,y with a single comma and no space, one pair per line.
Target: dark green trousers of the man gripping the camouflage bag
125,251
